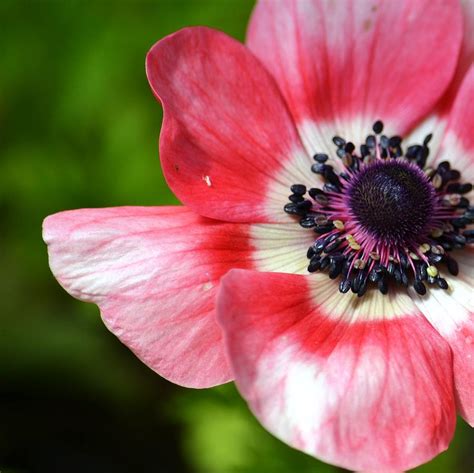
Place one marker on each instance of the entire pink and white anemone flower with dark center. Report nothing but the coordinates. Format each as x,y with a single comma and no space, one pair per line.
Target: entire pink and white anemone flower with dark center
367,367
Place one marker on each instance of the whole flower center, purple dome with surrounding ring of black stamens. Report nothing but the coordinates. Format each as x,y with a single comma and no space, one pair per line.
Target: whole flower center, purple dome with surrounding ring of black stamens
384,218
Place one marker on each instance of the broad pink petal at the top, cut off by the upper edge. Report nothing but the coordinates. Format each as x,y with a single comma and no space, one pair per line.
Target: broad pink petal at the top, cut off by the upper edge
343,65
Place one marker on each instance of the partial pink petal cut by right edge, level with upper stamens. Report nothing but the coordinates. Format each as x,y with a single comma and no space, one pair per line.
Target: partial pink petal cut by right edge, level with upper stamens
457,145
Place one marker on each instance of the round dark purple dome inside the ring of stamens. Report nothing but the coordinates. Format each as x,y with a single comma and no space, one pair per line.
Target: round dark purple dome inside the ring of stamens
393,200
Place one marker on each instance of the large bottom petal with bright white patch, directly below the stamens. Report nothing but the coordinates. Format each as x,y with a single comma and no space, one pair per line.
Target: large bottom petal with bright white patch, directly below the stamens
365,384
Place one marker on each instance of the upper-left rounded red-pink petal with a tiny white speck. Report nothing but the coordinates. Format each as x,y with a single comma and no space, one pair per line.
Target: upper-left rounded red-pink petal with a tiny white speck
228,145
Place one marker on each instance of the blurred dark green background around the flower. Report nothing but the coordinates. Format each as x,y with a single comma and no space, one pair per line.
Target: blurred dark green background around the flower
79,128
